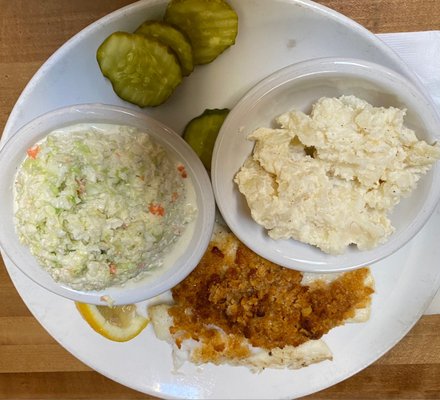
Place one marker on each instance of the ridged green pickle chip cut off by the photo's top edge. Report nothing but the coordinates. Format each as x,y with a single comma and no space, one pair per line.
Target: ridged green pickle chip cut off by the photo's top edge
211,25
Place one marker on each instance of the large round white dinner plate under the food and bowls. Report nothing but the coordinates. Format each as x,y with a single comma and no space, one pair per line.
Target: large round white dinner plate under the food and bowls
272,34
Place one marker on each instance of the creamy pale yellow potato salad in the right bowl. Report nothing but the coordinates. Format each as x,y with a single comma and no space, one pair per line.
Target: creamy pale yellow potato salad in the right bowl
331,178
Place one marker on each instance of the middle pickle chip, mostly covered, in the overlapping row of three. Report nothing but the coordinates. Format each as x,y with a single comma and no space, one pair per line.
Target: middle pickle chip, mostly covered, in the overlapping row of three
173,38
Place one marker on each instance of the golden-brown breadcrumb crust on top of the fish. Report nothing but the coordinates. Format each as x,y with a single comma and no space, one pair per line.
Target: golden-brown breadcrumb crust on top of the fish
250,297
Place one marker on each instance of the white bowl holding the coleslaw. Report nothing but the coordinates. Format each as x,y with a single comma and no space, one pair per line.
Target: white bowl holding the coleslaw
13,153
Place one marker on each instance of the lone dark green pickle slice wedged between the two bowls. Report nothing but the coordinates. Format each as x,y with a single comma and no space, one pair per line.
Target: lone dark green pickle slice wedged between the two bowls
201,132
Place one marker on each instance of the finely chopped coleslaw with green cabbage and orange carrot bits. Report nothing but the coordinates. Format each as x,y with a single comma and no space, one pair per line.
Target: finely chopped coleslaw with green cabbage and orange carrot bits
98,206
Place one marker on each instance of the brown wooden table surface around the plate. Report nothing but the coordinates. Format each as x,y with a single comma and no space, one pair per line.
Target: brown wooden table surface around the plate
32,364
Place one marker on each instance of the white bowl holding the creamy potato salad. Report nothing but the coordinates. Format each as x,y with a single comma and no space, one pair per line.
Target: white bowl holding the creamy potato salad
298,87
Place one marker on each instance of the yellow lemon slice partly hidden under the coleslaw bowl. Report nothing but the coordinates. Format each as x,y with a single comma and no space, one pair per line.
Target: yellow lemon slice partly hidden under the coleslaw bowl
118,323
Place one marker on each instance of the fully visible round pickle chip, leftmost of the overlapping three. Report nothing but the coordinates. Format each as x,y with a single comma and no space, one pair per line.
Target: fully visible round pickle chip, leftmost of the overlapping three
141,69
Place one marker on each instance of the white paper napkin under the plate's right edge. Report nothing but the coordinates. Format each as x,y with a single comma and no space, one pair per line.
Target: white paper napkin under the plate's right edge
421,51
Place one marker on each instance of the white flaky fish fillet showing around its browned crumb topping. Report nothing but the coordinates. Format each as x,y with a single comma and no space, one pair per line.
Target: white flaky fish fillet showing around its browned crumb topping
186,346
